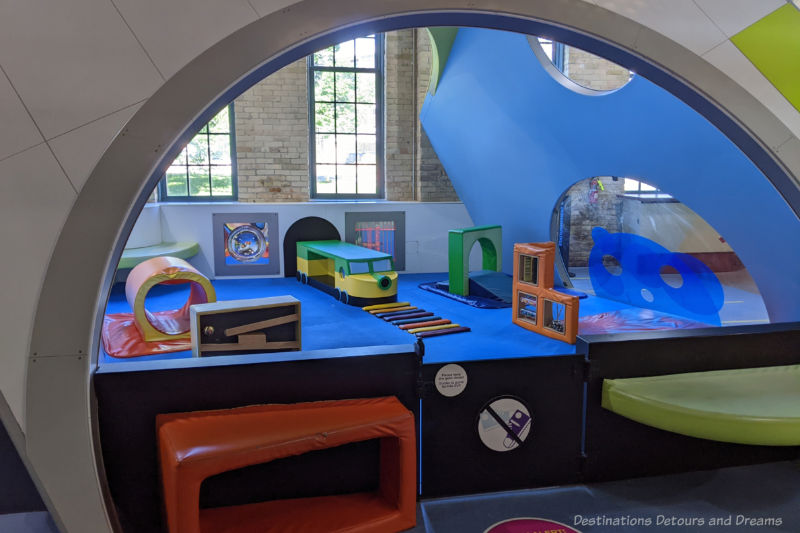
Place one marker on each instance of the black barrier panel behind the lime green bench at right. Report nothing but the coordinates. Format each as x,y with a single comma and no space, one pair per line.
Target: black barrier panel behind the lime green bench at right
619,448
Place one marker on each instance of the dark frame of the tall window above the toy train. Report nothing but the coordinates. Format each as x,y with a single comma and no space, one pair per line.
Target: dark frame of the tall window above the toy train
380,176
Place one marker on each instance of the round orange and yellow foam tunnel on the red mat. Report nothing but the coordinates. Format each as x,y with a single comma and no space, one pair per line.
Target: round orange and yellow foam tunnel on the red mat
165,325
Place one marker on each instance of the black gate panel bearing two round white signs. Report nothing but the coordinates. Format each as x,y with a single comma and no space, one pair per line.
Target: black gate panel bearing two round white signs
455,461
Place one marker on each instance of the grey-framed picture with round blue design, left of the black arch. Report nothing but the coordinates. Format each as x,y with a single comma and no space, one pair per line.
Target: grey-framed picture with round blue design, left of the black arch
246,244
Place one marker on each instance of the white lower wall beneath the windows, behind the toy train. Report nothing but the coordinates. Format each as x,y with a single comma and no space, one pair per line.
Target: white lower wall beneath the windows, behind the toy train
427,224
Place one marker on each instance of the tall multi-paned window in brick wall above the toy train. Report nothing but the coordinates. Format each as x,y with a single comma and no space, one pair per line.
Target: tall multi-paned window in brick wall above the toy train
346,119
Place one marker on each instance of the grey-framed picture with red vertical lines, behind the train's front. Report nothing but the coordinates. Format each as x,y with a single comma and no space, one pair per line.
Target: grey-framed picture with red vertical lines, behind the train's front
384,231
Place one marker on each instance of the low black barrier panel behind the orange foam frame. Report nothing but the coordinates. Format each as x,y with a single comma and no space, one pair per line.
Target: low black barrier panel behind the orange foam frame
128,402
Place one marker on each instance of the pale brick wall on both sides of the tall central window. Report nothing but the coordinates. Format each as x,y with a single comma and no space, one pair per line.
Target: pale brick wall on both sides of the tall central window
272,131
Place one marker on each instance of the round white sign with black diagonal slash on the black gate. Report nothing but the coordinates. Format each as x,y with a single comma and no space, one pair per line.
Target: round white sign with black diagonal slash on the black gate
504,424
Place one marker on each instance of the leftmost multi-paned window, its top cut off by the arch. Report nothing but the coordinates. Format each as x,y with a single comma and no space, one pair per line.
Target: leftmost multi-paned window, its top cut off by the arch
205,170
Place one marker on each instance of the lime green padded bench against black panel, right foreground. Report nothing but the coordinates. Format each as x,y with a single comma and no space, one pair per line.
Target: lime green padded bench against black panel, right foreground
759,406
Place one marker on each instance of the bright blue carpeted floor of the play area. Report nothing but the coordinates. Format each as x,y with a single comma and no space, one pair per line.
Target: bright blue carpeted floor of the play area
327,323
